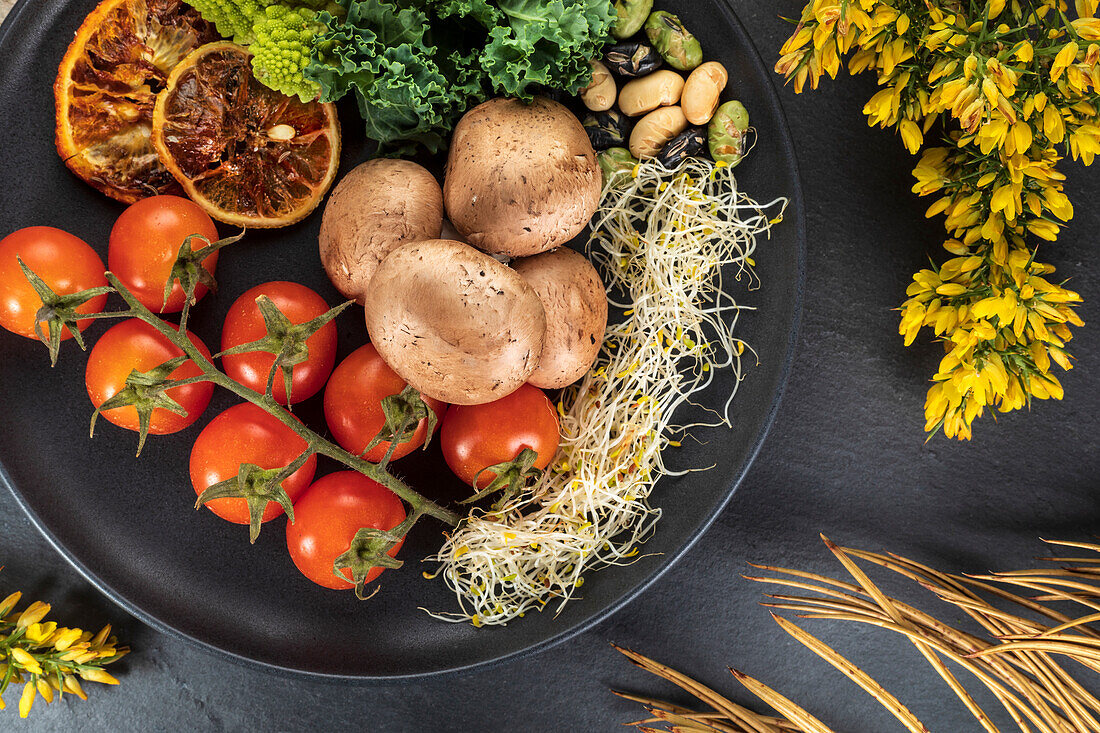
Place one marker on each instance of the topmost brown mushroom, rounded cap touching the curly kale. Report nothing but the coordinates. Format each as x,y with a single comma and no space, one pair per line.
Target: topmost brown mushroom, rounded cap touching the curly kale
521,179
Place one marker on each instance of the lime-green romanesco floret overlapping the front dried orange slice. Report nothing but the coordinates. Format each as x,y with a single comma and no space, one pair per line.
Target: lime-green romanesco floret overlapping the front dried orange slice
282,48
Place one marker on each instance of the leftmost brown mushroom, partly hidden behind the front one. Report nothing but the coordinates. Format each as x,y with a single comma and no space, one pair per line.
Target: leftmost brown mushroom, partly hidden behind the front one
379,206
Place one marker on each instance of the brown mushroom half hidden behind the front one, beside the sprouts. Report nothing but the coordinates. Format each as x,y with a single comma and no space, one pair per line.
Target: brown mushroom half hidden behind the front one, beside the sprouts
576,303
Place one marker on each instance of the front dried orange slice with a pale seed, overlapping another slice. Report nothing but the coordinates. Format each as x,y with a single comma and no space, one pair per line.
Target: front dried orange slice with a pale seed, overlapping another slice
249,156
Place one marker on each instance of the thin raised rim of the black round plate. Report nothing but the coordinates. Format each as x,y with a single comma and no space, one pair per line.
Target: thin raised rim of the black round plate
798,204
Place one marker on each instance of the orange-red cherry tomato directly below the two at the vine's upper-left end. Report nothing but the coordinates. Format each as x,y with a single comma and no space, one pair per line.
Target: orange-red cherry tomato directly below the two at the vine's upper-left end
135,345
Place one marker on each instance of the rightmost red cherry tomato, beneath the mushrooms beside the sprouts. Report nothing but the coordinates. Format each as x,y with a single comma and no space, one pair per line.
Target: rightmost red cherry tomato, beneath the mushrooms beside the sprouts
476,437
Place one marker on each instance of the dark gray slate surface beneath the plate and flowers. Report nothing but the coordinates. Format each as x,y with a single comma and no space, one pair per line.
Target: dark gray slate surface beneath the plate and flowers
846,457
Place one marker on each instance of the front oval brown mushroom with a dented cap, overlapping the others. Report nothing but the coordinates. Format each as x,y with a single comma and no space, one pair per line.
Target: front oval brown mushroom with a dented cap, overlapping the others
455,323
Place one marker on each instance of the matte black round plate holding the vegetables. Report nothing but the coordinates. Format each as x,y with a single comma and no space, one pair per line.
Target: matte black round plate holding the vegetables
128,524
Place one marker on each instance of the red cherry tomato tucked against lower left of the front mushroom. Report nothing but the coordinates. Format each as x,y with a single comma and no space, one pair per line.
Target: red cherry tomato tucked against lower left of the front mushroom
354,404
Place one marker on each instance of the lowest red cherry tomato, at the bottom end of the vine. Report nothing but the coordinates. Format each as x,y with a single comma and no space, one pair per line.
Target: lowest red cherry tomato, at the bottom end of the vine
327,518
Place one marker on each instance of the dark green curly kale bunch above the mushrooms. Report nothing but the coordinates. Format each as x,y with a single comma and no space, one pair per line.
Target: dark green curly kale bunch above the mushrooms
417,65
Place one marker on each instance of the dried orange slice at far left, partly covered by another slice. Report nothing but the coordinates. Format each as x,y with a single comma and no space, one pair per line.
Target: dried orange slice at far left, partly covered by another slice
107,86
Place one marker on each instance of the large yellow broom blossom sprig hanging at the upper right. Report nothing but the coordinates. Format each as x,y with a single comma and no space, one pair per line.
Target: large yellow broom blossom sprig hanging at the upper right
1006,91
